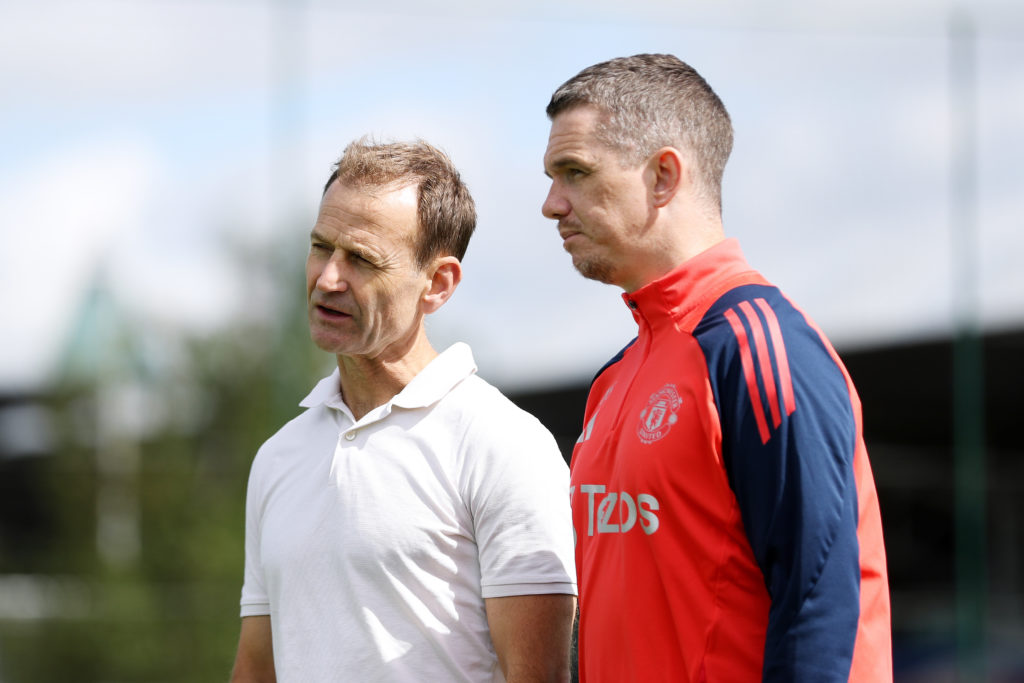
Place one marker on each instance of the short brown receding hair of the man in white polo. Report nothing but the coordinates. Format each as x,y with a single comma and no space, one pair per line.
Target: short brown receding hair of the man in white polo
445,208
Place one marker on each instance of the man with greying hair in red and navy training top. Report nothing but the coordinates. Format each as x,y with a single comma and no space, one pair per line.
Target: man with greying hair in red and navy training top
727,520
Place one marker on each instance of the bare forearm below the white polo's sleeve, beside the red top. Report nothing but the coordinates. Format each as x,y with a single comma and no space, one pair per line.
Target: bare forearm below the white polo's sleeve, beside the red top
532,636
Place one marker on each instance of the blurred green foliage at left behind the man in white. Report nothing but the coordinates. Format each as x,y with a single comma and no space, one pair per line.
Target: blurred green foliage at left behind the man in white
190,412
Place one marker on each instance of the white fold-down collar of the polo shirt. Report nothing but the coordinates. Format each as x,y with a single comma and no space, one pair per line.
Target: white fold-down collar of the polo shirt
434,382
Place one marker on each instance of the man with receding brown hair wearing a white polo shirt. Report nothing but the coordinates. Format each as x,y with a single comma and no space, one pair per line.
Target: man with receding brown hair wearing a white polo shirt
412,525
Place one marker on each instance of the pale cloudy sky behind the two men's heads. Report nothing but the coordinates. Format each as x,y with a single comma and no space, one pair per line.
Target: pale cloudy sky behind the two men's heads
149,137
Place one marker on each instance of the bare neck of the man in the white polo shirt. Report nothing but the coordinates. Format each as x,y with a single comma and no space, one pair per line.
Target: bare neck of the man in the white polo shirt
370,381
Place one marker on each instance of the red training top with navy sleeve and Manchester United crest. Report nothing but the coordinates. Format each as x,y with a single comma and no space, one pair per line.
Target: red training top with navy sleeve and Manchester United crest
727,520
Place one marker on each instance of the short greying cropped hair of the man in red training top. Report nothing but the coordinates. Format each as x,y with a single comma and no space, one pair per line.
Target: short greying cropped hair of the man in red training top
653,101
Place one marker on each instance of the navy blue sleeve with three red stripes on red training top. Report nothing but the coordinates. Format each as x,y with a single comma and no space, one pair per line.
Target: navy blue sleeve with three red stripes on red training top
789,437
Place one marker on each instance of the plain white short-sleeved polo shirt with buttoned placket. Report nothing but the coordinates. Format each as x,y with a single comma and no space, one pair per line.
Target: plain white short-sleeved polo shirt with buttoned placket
372,544
